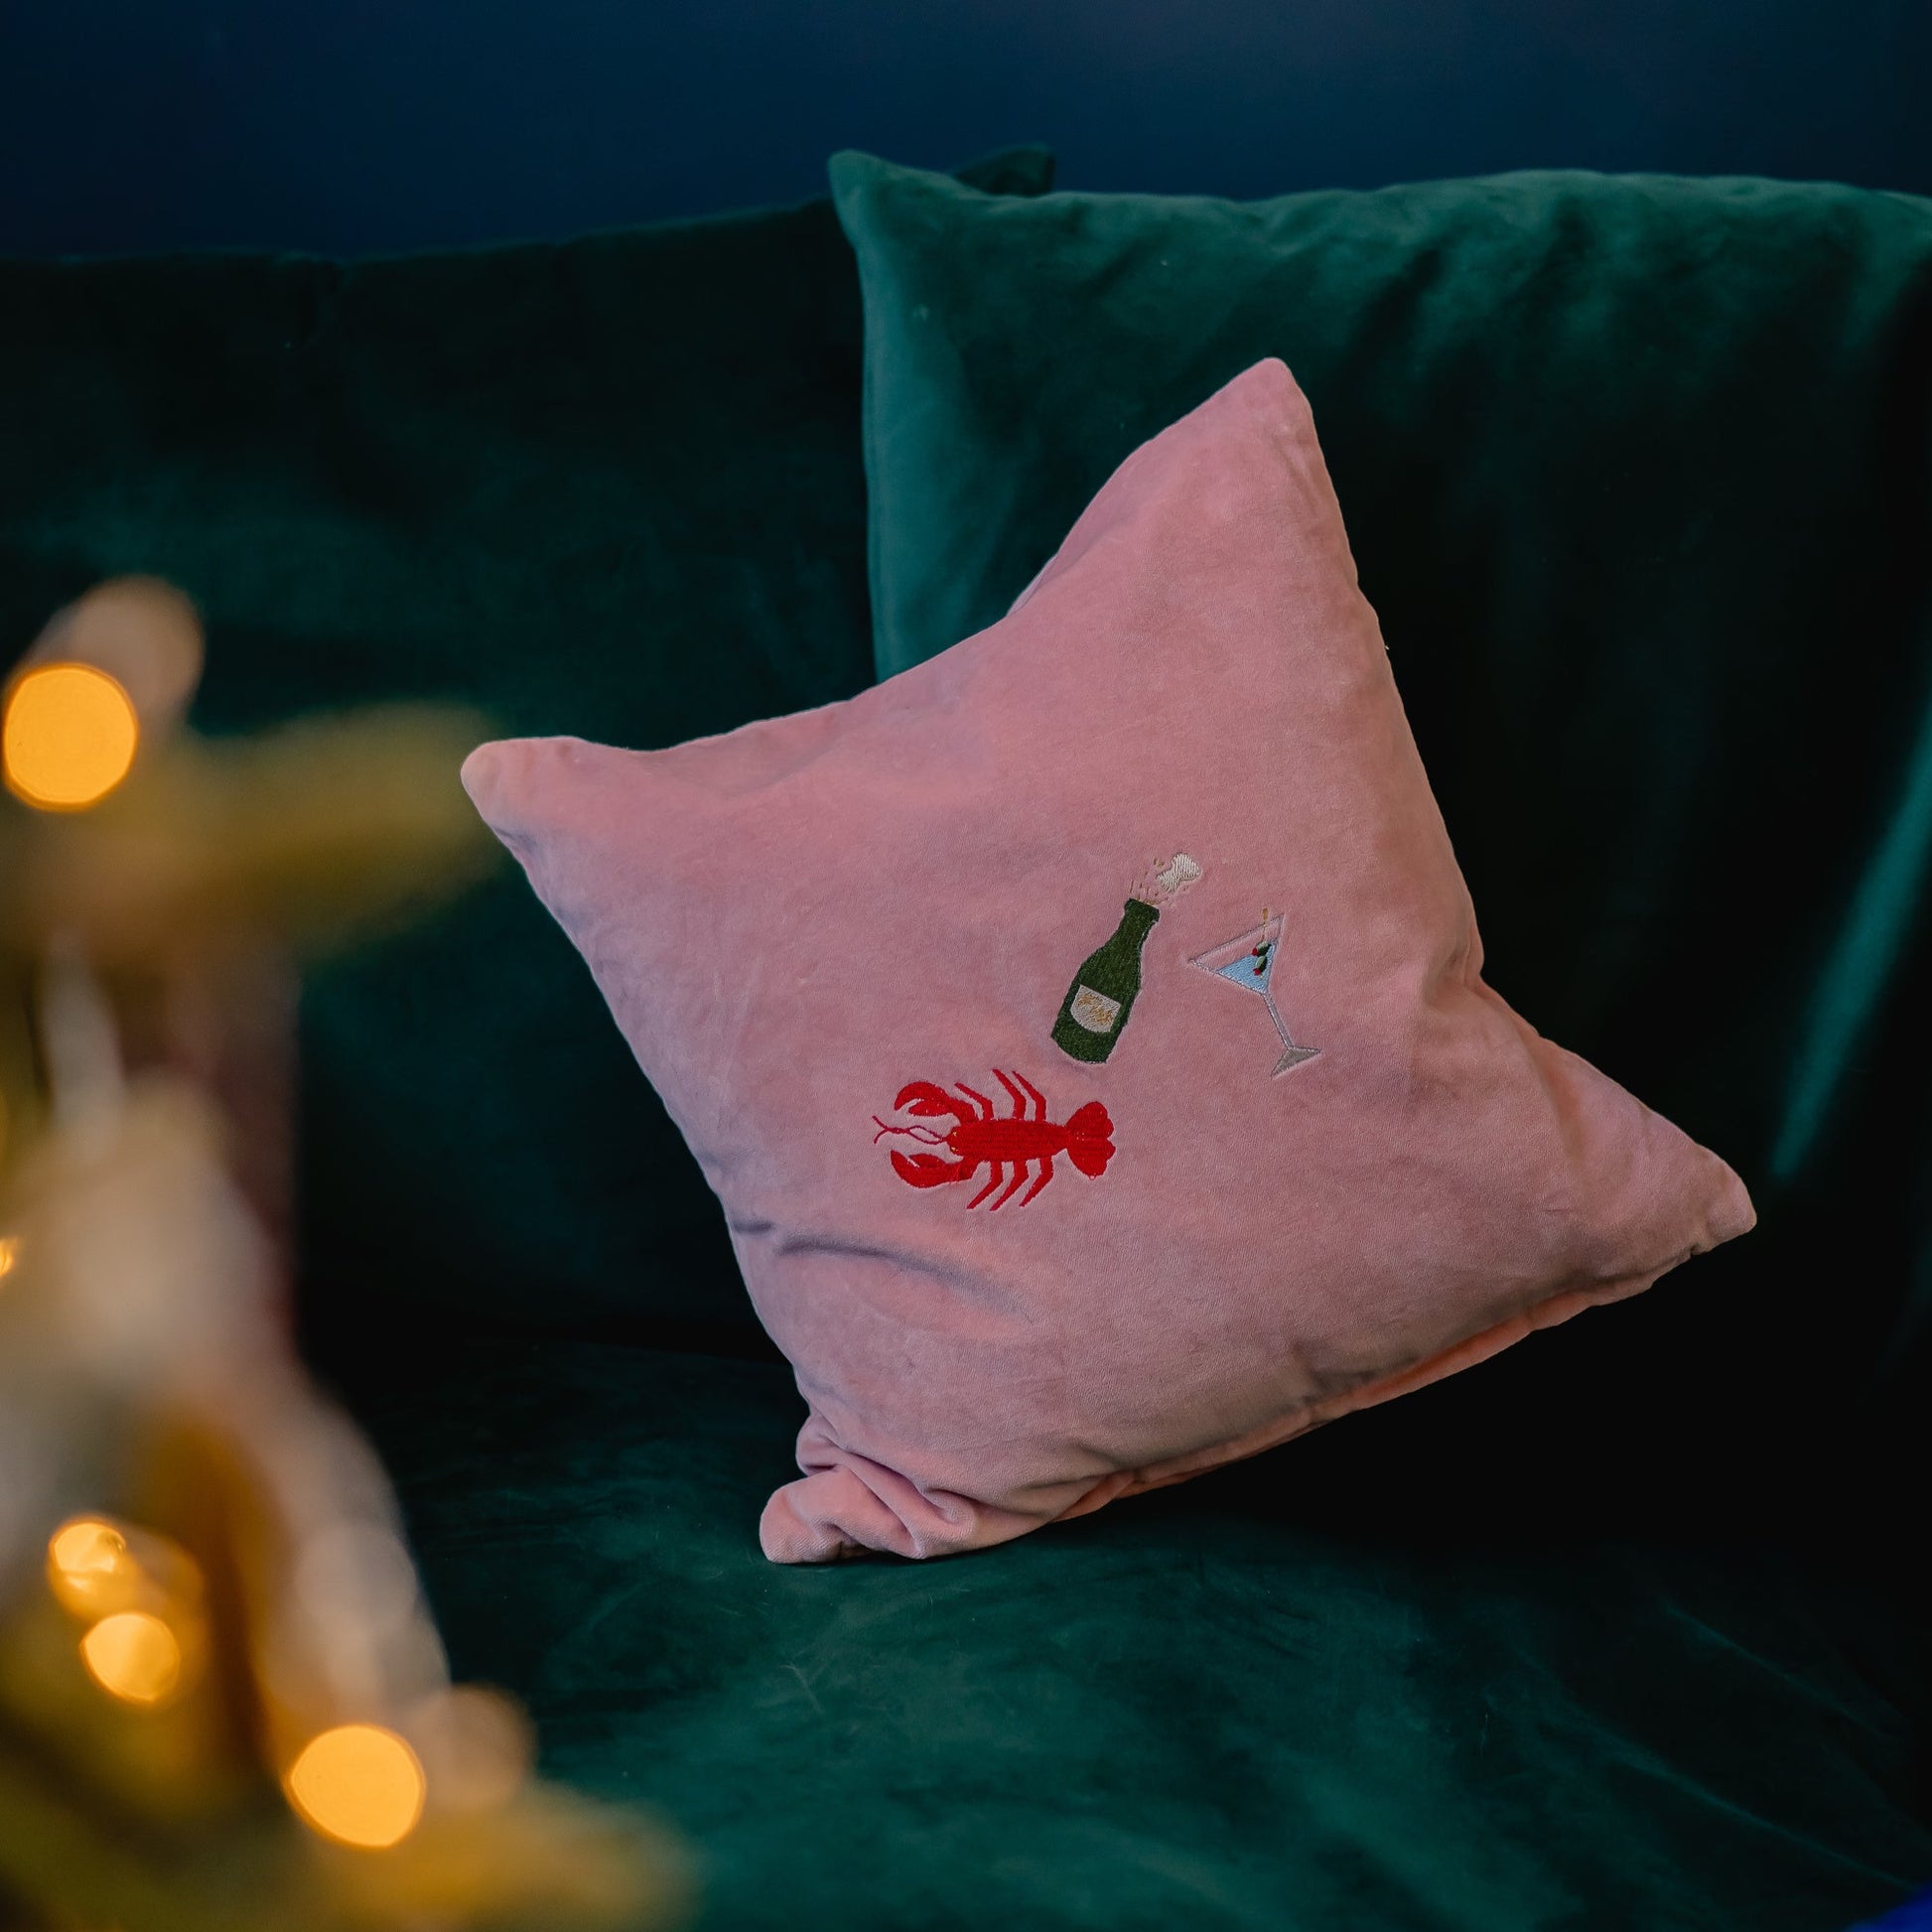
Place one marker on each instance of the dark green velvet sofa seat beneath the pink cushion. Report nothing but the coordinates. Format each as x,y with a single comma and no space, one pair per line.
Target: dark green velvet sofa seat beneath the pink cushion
1413,1709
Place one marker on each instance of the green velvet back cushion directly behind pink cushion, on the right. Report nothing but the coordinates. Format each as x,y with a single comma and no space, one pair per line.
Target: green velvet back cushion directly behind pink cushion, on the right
1639,478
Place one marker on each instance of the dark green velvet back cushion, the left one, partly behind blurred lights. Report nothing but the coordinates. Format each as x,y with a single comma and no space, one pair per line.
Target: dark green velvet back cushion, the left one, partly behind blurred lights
606,488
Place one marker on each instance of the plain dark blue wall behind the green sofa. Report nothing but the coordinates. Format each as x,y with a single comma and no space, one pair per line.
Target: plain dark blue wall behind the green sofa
378,125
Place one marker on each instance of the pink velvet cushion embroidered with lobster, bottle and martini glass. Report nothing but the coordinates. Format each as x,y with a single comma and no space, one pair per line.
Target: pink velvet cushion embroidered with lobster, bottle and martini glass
1085,1031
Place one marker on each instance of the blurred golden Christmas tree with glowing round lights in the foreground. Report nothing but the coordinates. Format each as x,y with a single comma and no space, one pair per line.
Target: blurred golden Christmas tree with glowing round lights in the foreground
223,1701
